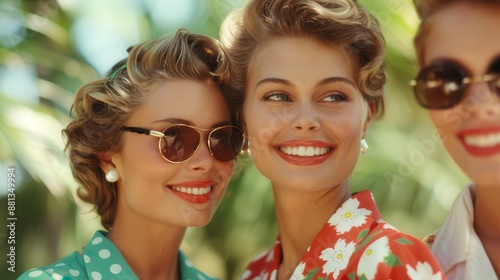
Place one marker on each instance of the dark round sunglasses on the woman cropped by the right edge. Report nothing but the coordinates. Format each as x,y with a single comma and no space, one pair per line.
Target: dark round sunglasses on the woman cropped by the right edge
443,84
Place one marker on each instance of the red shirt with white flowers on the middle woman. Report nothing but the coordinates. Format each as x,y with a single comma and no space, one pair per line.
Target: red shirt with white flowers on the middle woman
354,244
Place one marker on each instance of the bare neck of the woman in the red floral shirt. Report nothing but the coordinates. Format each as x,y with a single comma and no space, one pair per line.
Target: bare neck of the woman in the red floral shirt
300,217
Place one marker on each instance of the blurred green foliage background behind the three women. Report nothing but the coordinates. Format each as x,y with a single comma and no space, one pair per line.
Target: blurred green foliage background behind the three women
48,48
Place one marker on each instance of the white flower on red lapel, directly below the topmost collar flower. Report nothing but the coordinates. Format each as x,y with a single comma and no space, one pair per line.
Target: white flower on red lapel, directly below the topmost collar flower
337,258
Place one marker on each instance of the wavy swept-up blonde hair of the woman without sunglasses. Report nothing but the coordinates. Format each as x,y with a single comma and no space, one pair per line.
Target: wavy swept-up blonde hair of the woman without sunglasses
339,23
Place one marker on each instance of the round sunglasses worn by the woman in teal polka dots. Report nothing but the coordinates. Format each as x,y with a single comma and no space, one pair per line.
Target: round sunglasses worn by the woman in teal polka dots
179,142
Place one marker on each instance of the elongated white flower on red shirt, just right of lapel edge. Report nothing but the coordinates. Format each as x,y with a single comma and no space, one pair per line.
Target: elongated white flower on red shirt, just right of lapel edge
372,256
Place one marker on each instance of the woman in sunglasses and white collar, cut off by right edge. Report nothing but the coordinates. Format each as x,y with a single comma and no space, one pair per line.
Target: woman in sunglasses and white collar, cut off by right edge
458,49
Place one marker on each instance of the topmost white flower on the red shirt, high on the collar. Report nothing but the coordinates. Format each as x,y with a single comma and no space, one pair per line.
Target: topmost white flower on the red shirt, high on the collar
348,216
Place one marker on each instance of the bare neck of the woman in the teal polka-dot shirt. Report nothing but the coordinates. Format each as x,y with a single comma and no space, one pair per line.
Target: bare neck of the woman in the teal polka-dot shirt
150,249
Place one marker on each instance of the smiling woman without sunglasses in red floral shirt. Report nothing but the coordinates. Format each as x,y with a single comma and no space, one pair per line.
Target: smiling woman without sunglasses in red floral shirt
308,81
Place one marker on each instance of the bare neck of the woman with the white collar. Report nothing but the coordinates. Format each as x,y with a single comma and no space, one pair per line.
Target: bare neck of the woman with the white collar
487,222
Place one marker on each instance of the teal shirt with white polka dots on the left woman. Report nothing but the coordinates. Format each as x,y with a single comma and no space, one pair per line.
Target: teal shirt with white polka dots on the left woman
101,259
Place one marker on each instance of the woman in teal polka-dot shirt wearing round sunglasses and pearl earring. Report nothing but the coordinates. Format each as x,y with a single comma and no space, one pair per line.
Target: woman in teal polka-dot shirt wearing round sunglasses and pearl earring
153,149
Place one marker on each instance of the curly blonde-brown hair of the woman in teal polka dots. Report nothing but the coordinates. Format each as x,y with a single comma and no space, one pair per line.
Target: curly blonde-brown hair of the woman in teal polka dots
103,106
